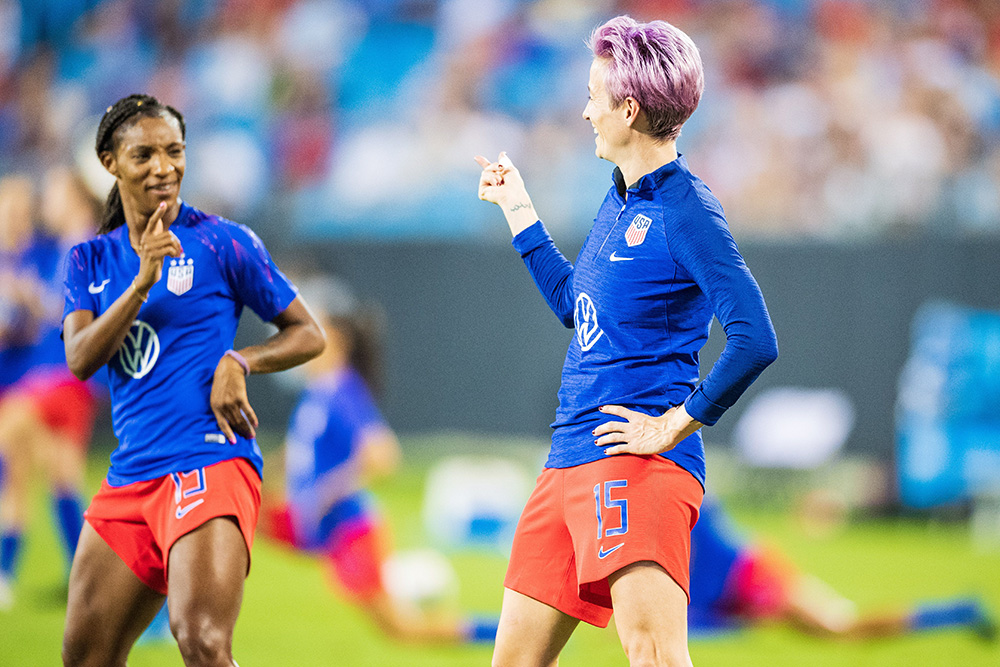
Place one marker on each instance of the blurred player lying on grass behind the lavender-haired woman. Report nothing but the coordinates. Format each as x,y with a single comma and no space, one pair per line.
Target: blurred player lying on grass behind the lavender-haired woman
733,584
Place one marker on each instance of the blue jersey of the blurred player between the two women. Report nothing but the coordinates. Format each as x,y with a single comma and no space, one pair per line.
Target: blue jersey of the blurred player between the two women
323,481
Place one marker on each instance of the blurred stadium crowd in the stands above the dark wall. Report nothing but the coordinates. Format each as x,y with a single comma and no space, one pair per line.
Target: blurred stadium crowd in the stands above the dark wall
829,118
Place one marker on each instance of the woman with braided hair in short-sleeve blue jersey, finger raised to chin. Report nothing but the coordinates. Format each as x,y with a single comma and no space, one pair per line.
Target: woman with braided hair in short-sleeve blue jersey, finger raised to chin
156,298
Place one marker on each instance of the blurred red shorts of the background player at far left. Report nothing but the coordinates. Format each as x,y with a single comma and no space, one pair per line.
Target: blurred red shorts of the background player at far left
65,404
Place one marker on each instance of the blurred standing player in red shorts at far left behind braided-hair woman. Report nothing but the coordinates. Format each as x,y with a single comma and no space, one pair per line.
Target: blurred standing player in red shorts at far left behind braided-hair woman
47,416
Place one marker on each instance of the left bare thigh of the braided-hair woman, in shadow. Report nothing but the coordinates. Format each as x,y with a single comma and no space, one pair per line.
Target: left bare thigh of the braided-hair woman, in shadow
108,606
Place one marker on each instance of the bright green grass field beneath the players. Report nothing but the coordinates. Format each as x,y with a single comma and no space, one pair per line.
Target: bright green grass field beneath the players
291,617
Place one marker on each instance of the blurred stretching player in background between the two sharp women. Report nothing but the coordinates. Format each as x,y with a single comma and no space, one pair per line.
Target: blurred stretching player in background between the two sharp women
337,444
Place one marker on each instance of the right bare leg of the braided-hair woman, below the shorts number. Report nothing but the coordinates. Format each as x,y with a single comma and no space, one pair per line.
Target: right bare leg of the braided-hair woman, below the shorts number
207,568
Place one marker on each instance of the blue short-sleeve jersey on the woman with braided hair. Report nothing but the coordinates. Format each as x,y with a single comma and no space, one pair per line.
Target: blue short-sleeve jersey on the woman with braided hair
161,377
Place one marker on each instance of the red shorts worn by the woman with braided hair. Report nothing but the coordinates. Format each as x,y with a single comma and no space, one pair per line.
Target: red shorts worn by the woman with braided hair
141,521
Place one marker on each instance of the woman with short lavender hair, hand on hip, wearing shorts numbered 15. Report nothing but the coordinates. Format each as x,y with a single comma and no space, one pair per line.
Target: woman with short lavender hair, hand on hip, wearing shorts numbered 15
658,263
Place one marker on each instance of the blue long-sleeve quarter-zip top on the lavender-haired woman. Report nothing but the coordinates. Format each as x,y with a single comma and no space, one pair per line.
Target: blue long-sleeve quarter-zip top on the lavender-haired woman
658,263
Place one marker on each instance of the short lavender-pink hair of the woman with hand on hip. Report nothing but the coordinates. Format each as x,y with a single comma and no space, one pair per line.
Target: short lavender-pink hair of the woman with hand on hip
654,63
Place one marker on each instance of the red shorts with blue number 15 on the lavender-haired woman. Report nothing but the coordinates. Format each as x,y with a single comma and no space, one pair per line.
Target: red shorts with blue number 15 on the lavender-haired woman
584,523
